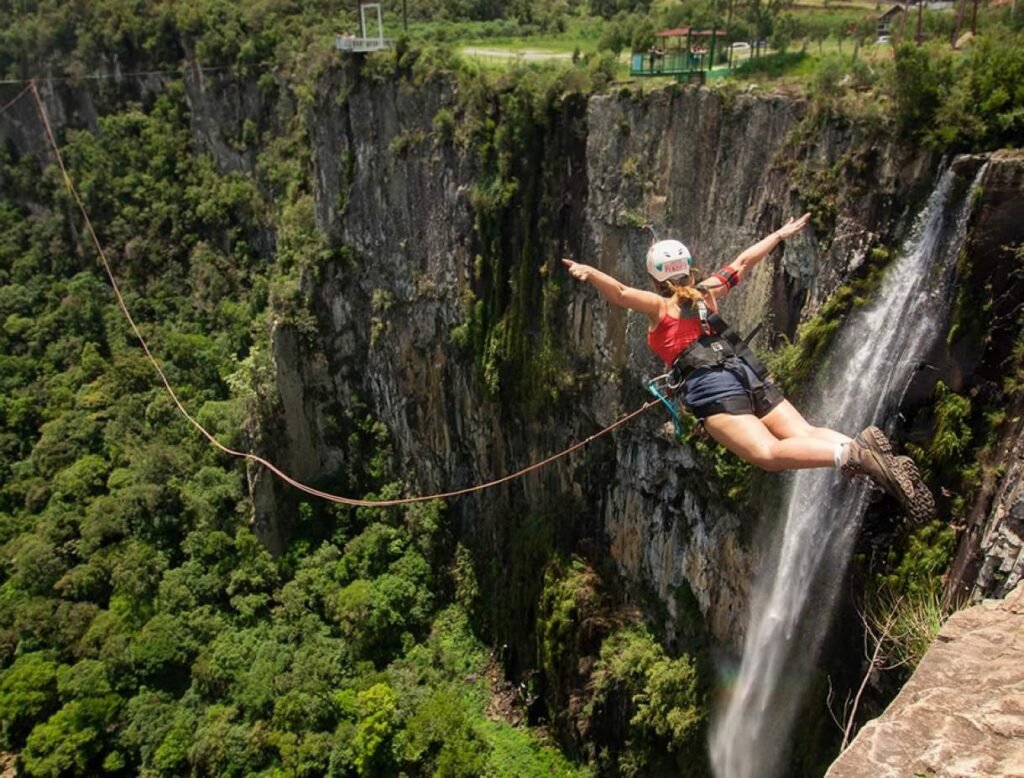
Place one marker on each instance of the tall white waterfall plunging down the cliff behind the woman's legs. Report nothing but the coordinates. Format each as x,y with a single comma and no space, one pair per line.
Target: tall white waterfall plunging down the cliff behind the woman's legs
869,370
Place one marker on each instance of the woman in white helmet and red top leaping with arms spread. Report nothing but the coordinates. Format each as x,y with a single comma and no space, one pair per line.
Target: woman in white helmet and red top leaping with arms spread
740,409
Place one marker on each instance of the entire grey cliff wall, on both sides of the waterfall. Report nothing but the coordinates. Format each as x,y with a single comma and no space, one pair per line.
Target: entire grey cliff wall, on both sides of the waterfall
715,170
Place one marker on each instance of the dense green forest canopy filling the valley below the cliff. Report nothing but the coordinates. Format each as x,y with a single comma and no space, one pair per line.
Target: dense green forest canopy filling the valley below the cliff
146,630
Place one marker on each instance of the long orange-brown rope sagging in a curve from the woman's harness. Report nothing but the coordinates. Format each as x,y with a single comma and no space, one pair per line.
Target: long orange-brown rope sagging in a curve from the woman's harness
252,457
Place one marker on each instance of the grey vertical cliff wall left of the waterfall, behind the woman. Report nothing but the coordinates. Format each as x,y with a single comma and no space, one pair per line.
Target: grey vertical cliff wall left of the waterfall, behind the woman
717,174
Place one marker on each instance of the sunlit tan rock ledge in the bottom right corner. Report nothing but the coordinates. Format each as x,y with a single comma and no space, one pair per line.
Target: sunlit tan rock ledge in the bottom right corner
962,714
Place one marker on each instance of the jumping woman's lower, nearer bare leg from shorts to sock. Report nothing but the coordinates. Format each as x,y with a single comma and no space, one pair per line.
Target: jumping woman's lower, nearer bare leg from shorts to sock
748,438
